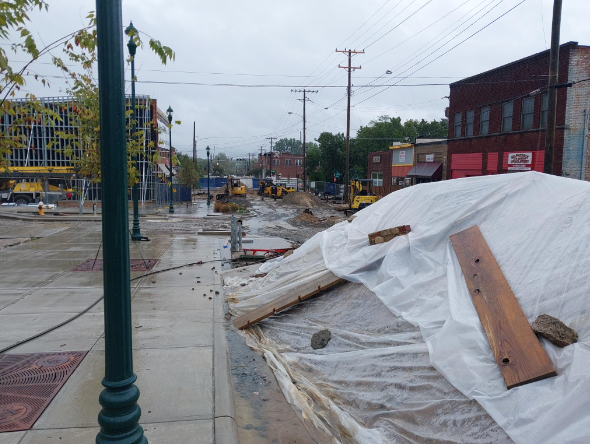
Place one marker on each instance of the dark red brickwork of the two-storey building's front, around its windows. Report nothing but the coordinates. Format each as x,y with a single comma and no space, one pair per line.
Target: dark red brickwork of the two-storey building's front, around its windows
492,89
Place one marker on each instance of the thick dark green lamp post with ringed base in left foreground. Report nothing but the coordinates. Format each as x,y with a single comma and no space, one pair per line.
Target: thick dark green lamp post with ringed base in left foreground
120,412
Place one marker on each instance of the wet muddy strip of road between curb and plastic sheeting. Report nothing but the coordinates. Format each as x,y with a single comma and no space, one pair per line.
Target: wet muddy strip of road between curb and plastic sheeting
262,412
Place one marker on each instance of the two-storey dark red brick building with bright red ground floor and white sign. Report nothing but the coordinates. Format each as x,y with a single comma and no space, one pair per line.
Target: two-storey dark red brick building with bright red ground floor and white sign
497,118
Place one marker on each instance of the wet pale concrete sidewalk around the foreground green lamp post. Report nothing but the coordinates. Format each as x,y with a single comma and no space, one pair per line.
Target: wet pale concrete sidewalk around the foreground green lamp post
180,353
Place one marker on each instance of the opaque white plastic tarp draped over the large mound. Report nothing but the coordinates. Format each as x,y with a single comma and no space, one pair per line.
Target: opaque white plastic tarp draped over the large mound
538,228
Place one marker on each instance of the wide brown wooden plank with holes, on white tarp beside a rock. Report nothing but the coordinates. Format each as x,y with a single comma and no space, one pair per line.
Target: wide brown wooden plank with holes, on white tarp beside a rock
519,354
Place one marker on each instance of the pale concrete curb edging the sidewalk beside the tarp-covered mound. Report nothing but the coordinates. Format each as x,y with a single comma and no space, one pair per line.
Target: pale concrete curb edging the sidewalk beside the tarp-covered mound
224,412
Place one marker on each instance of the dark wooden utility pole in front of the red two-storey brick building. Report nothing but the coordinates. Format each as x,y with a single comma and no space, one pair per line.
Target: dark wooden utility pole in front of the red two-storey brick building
552,92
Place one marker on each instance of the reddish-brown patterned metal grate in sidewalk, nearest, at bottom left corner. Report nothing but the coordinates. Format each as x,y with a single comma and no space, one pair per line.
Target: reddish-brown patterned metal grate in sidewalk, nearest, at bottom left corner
29,382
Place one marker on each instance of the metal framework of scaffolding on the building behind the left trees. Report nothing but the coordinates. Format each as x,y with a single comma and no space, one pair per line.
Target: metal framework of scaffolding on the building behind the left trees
44,149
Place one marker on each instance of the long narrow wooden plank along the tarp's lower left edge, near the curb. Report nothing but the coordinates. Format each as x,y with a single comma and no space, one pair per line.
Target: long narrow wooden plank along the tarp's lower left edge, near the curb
294,296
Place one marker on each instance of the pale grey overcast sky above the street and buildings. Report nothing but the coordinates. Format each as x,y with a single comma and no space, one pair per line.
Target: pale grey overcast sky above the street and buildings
291,43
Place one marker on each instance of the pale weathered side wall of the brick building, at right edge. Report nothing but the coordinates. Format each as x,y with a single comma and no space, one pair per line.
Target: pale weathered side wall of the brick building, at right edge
576,116
